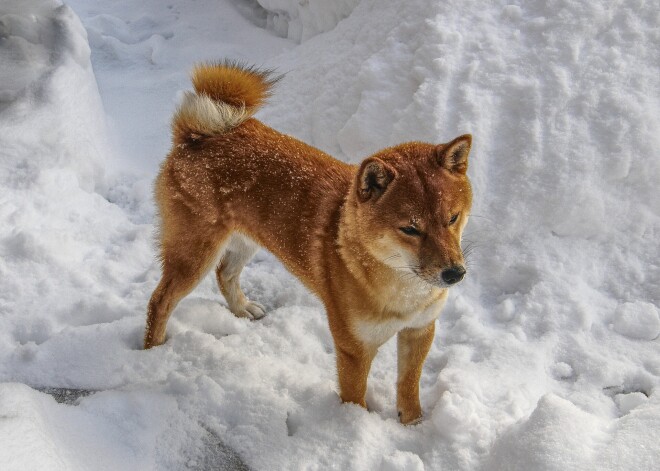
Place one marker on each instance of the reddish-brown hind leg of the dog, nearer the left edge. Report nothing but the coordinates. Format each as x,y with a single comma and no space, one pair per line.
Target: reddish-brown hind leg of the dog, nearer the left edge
188,253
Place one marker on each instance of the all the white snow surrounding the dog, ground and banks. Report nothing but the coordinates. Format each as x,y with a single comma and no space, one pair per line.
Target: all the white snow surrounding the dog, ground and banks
546,357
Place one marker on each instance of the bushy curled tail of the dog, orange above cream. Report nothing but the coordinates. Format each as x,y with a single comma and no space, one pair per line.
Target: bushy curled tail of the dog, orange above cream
226,94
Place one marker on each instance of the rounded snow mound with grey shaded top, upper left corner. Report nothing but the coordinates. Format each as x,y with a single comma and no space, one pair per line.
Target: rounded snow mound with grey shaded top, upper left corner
47,89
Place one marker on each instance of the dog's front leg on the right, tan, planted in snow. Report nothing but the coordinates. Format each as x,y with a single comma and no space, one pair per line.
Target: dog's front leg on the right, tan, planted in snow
412,347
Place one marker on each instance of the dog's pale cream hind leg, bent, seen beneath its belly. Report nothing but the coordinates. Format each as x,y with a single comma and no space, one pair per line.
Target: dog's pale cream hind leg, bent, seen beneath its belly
237,253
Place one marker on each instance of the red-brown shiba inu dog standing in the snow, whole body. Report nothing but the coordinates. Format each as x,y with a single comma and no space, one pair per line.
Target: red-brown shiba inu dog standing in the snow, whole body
378,242
